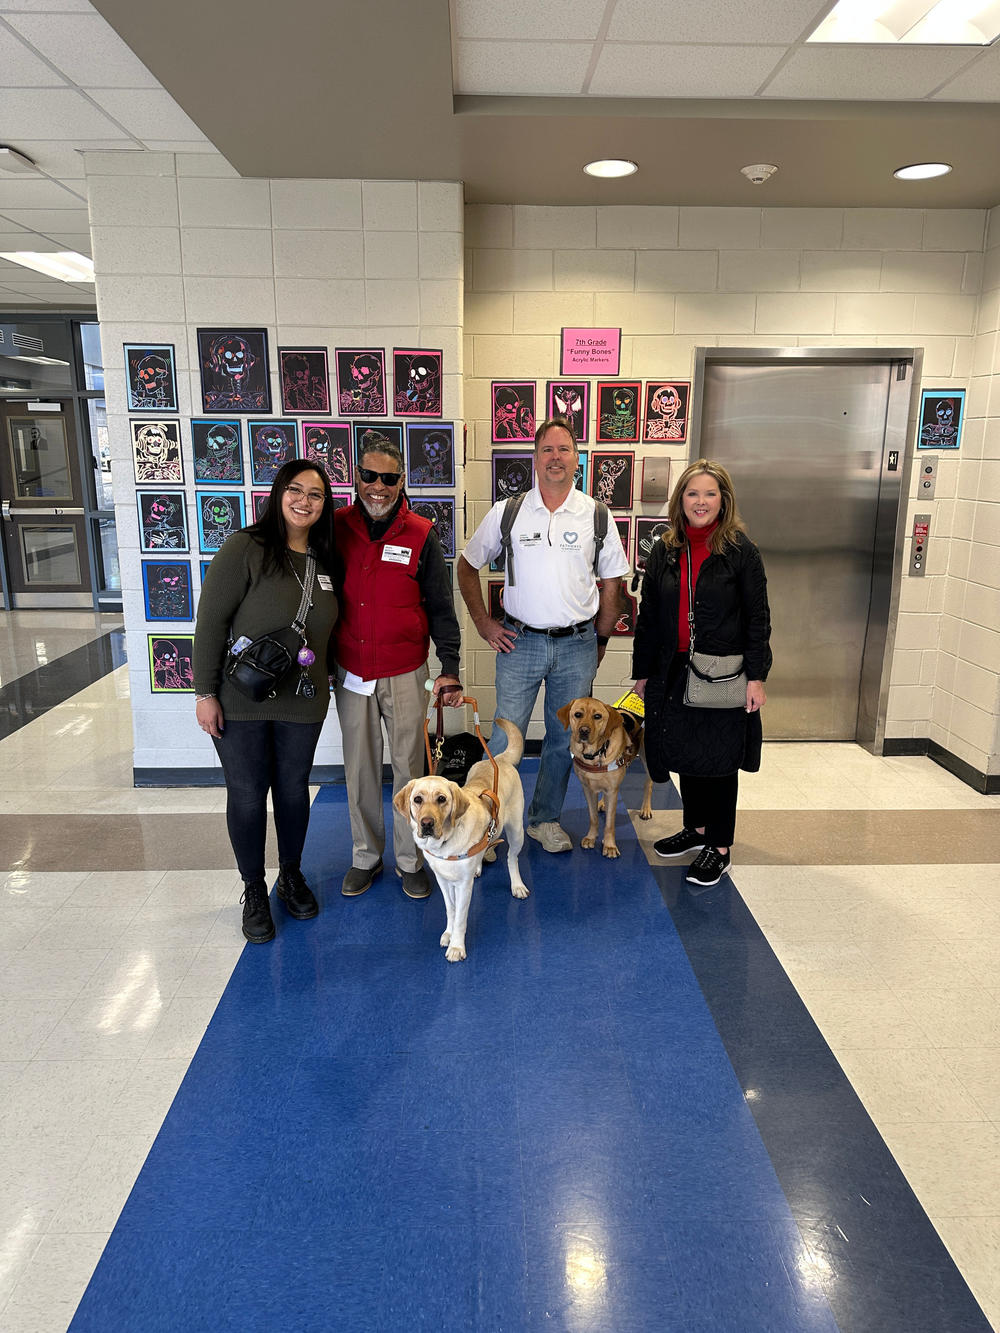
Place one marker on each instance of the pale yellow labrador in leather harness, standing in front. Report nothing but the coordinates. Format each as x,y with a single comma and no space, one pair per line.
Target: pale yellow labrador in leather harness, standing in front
454,826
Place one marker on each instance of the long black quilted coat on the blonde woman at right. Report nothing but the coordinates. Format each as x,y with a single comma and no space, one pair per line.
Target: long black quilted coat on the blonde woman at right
731,617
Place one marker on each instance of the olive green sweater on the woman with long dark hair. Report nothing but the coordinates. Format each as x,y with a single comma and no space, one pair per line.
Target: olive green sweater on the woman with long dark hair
241,598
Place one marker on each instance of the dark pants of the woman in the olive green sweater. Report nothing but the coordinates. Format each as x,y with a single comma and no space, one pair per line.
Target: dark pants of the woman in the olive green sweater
258,758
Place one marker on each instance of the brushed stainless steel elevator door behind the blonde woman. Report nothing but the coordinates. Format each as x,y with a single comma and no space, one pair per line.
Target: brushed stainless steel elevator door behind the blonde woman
805,445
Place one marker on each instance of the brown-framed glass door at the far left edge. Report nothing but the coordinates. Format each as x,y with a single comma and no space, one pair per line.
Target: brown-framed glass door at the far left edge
42,501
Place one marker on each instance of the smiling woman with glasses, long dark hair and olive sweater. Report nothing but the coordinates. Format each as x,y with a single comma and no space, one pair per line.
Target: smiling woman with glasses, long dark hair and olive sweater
255,587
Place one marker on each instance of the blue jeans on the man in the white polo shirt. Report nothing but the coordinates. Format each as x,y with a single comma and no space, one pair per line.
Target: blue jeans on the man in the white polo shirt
567,668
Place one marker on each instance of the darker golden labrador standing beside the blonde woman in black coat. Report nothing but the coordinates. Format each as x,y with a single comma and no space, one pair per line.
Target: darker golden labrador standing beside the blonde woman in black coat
603,743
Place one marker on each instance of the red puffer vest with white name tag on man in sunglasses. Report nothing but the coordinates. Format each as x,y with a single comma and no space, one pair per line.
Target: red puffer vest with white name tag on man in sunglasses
382,629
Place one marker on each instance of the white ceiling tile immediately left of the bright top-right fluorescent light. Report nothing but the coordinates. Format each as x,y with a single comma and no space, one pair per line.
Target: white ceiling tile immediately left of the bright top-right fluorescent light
723,22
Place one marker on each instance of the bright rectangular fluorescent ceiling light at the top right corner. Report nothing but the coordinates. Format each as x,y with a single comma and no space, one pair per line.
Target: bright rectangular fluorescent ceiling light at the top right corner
946,23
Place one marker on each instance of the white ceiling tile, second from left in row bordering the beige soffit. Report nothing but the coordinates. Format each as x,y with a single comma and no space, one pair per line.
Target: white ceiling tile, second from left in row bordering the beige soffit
627,71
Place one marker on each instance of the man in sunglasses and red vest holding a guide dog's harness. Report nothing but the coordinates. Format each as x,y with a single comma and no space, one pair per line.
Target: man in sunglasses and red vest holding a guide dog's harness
397,597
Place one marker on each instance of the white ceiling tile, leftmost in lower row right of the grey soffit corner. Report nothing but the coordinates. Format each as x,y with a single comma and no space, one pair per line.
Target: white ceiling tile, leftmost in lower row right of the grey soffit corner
554,70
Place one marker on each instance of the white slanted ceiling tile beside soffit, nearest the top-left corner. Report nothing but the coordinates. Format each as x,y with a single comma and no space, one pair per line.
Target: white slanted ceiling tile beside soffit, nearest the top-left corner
83,45
